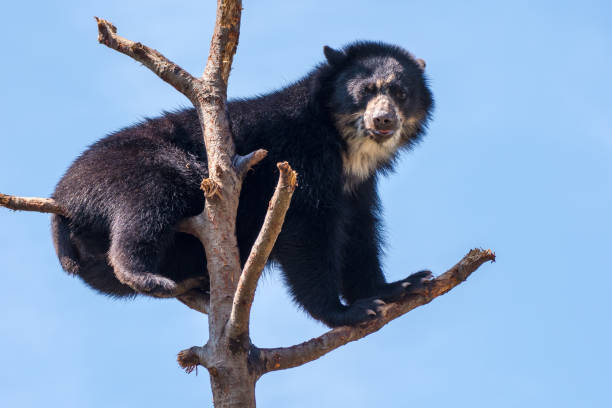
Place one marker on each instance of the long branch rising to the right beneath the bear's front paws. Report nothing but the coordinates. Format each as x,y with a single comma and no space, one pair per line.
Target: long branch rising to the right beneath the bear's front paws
288,357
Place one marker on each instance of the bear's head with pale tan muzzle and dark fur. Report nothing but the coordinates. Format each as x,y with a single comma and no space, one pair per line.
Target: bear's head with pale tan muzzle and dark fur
380,103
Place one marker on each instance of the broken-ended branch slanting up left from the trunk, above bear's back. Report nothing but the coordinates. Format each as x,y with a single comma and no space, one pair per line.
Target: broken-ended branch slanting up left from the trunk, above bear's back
152,59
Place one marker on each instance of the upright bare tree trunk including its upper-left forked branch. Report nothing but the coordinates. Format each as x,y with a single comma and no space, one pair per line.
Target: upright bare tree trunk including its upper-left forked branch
226,357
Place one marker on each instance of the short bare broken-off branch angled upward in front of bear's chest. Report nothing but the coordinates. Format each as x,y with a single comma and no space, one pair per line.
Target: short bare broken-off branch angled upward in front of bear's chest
238,323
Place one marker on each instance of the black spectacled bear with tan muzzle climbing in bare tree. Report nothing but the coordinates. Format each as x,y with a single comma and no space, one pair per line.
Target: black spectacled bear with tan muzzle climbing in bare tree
339,127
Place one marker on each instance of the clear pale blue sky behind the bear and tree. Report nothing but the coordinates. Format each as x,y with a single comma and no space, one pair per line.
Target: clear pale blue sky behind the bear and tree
518,159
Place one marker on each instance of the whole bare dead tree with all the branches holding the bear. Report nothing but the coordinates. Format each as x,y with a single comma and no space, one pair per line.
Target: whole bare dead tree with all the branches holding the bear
233,362
